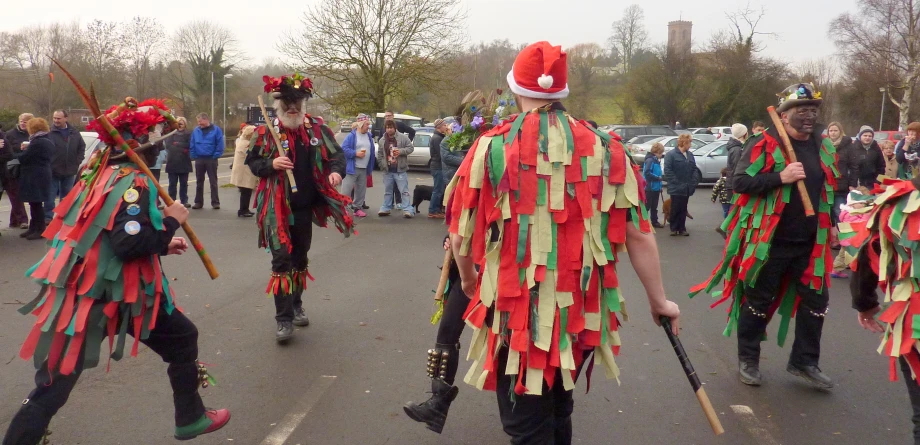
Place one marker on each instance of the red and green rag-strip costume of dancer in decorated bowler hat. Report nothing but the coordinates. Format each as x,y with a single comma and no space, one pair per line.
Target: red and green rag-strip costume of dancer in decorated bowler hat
751,224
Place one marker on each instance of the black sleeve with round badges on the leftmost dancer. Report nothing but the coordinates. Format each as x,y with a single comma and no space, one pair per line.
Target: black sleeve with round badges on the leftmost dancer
148,241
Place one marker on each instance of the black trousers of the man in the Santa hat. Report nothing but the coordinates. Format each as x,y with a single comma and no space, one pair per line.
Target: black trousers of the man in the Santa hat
535,420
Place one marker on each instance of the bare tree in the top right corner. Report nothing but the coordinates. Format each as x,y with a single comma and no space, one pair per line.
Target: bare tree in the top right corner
885,34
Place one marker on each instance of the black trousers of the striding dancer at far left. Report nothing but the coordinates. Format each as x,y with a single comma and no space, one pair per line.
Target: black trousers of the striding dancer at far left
175,340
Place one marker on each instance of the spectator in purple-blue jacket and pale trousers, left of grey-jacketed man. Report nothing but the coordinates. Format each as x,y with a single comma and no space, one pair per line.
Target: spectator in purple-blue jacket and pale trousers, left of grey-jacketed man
359,151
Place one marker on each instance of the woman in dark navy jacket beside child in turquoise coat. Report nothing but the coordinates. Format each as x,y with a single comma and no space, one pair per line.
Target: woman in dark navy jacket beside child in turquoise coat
681,173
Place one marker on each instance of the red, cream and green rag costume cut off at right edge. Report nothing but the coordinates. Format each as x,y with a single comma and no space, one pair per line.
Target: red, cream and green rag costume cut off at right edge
887,244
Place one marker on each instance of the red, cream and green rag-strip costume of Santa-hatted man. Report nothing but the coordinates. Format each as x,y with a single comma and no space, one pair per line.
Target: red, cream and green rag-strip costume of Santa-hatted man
542,204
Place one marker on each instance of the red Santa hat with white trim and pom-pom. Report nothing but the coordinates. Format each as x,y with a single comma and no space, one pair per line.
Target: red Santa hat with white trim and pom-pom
540,71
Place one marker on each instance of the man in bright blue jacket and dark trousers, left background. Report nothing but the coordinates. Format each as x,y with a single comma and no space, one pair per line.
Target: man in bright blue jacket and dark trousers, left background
206,146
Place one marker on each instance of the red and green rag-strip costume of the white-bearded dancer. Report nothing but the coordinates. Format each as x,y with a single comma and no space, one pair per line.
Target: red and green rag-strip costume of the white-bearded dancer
272,201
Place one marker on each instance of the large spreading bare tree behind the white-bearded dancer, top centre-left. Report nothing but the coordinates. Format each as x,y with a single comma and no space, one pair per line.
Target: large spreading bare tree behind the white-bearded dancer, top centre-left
376,49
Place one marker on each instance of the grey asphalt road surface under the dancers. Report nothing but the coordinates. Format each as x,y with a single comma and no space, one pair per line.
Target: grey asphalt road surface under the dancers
344,378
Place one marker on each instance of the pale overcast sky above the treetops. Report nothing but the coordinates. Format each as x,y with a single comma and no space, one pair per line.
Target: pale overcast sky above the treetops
801,27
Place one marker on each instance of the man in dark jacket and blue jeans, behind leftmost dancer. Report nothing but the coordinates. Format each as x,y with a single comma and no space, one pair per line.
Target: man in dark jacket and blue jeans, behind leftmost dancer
65,160
